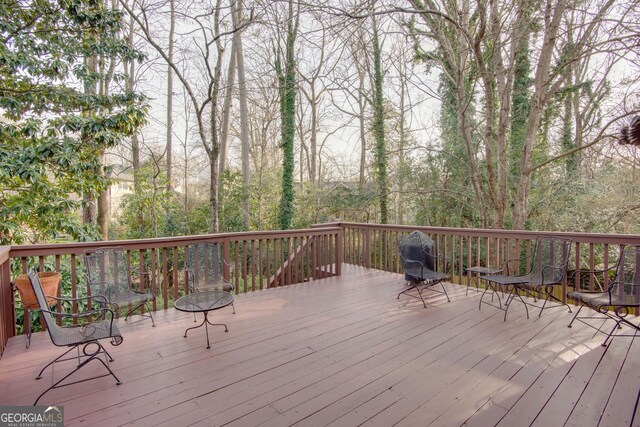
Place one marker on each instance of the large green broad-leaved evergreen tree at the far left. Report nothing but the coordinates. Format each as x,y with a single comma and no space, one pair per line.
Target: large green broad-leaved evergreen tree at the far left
52,132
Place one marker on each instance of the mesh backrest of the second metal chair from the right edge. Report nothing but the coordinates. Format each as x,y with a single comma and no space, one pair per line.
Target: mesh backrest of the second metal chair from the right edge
550,260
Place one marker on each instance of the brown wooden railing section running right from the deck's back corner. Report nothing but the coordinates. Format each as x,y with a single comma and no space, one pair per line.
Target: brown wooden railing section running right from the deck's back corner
374,245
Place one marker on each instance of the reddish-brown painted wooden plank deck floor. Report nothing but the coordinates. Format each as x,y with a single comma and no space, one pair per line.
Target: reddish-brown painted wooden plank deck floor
344,351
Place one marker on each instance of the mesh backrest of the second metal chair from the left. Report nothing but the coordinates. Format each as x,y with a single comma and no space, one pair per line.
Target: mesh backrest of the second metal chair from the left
108,272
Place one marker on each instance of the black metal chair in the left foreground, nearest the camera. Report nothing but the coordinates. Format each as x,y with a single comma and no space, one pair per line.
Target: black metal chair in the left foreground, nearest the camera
86,334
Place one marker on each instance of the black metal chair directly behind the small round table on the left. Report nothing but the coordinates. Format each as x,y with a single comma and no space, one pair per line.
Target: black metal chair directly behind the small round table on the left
204,266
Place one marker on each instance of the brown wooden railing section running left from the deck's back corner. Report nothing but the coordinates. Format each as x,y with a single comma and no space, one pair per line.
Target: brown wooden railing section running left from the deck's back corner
258,259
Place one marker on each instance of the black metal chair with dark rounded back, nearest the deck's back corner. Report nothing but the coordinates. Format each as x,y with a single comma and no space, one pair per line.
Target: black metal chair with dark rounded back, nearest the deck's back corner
417,253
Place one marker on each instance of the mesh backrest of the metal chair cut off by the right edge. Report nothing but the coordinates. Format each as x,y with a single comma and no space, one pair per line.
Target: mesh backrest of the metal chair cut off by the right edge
626,285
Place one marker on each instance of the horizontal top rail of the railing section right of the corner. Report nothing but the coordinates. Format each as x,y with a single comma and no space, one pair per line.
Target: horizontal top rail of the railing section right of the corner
579,237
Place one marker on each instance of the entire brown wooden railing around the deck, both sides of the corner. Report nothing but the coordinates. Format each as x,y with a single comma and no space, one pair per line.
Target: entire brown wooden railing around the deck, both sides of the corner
280,258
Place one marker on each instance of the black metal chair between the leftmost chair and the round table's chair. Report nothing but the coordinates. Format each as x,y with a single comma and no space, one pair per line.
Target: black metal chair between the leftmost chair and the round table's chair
110,275
